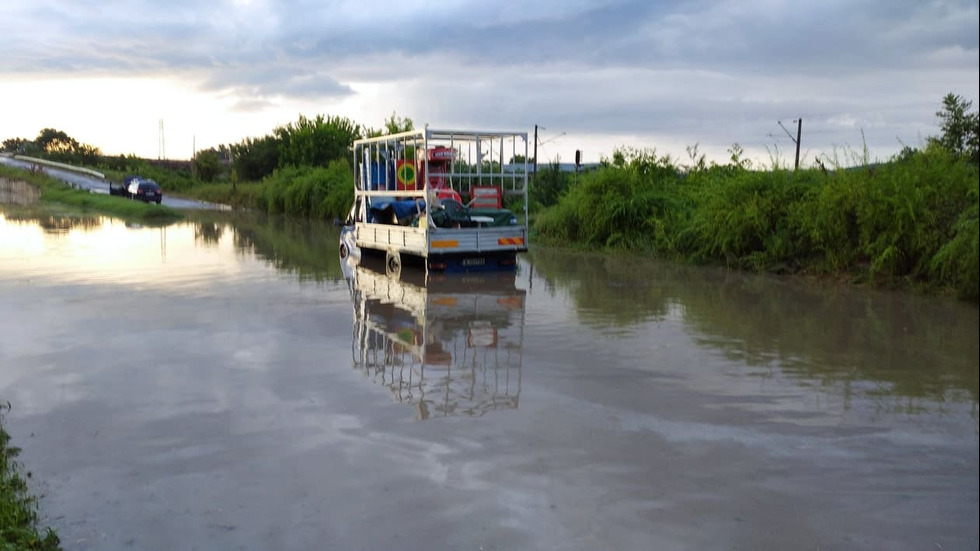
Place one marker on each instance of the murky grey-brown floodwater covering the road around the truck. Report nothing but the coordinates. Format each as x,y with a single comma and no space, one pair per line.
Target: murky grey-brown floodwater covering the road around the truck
228,384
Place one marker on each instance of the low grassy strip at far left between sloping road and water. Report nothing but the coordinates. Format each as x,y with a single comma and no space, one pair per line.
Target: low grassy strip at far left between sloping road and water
59,198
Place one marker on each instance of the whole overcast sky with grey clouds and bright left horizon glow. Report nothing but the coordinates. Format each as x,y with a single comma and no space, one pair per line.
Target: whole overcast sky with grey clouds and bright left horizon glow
593,74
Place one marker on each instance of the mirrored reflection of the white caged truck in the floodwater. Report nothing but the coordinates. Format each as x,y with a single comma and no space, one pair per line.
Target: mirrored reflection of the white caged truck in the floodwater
449,344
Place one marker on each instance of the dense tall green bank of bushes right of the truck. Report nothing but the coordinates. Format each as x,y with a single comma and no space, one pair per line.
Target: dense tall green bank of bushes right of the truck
911,222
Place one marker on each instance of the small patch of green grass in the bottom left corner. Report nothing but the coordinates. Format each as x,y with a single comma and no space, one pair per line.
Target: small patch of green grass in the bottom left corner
18,508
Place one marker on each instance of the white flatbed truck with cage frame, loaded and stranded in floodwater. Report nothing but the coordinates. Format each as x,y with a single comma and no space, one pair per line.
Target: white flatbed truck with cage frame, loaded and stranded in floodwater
440,197
